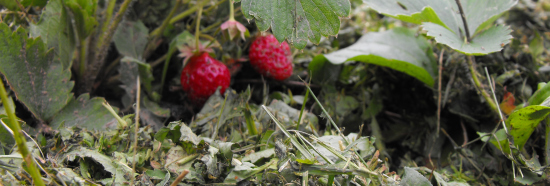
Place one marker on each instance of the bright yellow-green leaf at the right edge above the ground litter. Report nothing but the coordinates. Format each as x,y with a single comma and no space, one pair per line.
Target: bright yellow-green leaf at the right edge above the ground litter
523,122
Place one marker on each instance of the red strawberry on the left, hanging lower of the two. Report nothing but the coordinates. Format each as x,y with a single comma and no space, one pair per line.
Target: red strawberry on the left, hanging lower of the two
202,76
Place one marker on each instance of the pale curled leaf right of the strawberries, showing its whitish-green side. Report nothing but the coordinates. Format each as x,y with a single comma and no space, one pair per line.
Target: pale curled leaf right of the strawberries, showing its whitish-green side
398,49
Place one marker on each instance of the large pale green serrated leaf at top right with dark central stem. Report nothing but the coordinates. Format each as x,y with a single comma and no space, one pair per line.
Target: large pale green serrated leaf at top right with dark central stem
442,20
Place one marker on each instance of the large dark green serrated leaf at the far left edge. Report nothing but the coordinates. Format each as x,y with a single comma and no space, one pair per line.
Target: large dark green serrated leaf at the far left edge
39,81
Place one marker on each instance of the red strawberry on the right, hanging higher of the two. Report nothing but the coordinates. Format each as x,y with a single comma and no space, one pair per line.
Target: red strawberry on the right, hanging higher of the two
271,58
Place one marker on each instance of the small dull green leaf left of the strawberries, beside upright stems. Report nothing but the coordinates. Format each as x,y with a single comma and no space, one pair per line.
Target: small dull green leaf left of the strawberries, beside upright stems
131,39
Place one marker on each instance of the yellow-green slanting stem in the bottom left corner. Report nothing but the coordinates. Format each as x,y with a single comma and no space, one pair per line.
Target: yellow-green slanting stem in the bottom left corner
19,138
